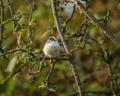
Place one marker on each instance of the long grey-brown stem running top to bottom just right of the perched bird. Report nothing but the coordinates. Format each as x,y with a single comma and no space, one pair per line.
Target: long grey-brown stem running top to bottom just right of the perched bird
72,62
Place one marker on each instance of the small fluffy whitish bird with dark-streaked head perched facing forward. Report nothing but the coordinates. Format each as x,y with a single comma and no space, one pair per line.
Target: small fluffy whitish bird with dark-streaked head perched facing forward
51,48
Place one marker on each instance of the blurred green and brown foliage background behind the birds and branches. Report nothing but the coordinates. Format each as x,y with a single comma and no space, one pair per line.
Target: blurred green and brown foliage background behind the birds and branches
94,53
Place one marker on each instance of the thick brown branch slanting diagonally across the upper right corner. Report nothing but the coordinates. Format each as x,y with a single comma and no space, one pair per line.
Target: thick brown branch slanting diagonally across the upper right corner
96,22
